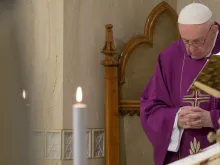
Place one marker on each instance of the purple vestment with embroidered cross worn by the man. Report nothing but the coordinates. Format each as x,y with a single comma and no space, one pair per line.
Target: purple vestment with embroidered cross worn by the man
166,93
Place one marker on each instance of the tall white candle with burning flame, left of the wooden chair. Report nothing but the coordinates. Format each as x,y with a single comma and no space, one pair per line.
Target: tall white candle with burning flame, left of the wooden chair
79,125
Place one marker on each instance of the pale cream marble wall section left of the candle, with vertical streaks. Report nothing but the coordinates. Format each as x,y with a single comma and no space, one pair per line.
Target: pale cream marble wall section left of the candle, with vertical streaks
39,27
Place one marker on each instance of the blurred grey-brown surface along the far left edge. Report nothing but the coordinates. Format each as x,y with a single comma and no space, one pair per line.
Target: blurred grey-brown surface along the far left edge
13,112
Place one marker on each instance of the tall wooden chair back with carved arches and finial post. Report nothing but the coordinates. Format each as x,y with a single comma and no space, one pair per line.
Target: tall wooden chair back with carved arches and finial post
125,79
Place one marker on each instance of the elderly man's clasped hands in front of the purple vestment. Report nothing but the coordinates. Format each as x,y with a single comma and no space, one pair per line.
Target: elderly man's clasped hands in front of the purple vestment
194,118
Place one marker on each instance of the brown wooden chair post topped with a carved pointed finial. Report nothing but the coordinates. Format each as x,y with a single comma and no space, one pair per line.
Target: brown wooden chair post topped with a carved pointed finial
111,100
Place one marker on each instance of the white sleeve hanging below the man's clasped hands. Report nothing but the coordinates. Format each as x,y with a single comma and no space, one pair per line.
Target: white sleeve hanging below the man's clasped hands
176,136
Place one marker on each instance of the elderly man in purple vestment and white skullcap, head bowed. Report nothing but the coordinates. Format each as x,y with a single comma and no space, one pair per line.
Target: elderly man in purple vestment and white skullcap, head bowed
175,121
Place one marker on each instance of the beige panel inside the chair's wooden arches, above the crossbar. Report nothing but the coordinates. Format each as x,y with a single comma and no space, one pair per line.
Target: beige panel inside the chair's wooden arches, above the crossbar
143,60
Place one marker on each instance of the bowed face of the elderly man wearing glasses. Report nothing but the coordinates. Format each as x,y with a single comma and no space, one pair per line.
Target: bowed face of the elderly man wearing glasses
197,39
